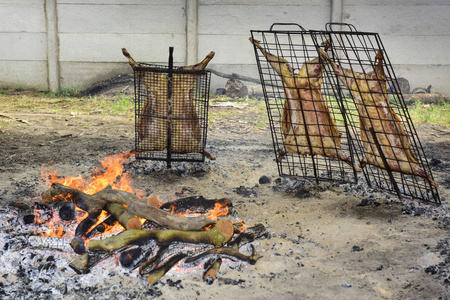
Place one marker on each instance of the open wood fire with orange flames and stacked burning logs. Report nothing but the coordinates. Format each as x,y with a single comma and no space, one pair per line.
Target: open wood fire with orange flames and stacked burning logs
103,216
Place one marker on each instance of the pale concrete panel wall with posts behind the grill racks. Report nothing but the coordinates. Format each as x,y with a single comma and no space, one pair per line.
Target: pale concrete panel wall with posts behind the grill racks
51,44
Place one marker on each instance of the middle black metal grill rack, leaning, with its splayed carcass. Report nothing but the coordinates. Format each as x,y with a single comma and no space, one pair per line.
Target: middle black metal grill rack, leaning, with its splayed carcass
304,113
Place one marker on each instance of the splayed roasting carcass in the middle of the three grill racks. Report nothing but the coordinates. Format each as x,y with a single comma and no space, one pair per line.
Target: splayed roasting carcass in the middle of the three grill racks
306,123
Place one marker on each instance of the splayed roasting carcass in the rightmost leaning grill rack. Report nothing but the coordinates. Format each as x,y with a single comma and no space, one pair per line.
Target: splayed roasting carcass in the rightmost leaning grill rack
376,116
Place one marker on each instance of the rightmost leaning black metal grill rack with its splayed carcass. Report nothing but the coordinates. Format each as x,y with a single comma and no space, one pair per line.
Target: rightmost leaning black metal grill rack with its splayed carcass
387,141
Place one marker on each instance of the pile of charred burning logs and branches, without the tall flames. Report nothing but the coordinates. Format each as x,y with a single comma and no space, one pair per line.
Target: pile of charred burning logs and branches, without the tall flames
176,239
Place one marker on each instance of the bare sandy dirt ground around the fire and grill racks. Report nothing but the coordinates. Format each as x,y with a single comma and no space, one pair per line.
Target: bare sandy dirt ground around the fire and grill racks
323,244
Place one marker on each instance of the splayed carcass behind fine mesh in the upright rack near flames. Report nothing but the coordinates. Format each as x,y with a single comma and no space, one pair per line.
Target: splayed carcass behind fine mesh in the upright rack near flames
152,122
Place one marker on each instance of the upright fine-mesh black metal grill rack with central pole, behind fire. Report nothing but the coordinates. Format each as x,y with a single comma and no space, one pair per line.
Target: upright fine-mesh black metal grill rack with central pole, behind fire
171,112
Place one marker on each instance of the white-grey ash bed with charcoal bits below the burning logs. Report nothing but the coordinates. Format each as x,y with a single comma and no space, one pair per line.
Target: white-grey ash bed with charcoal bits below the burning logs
30,273
